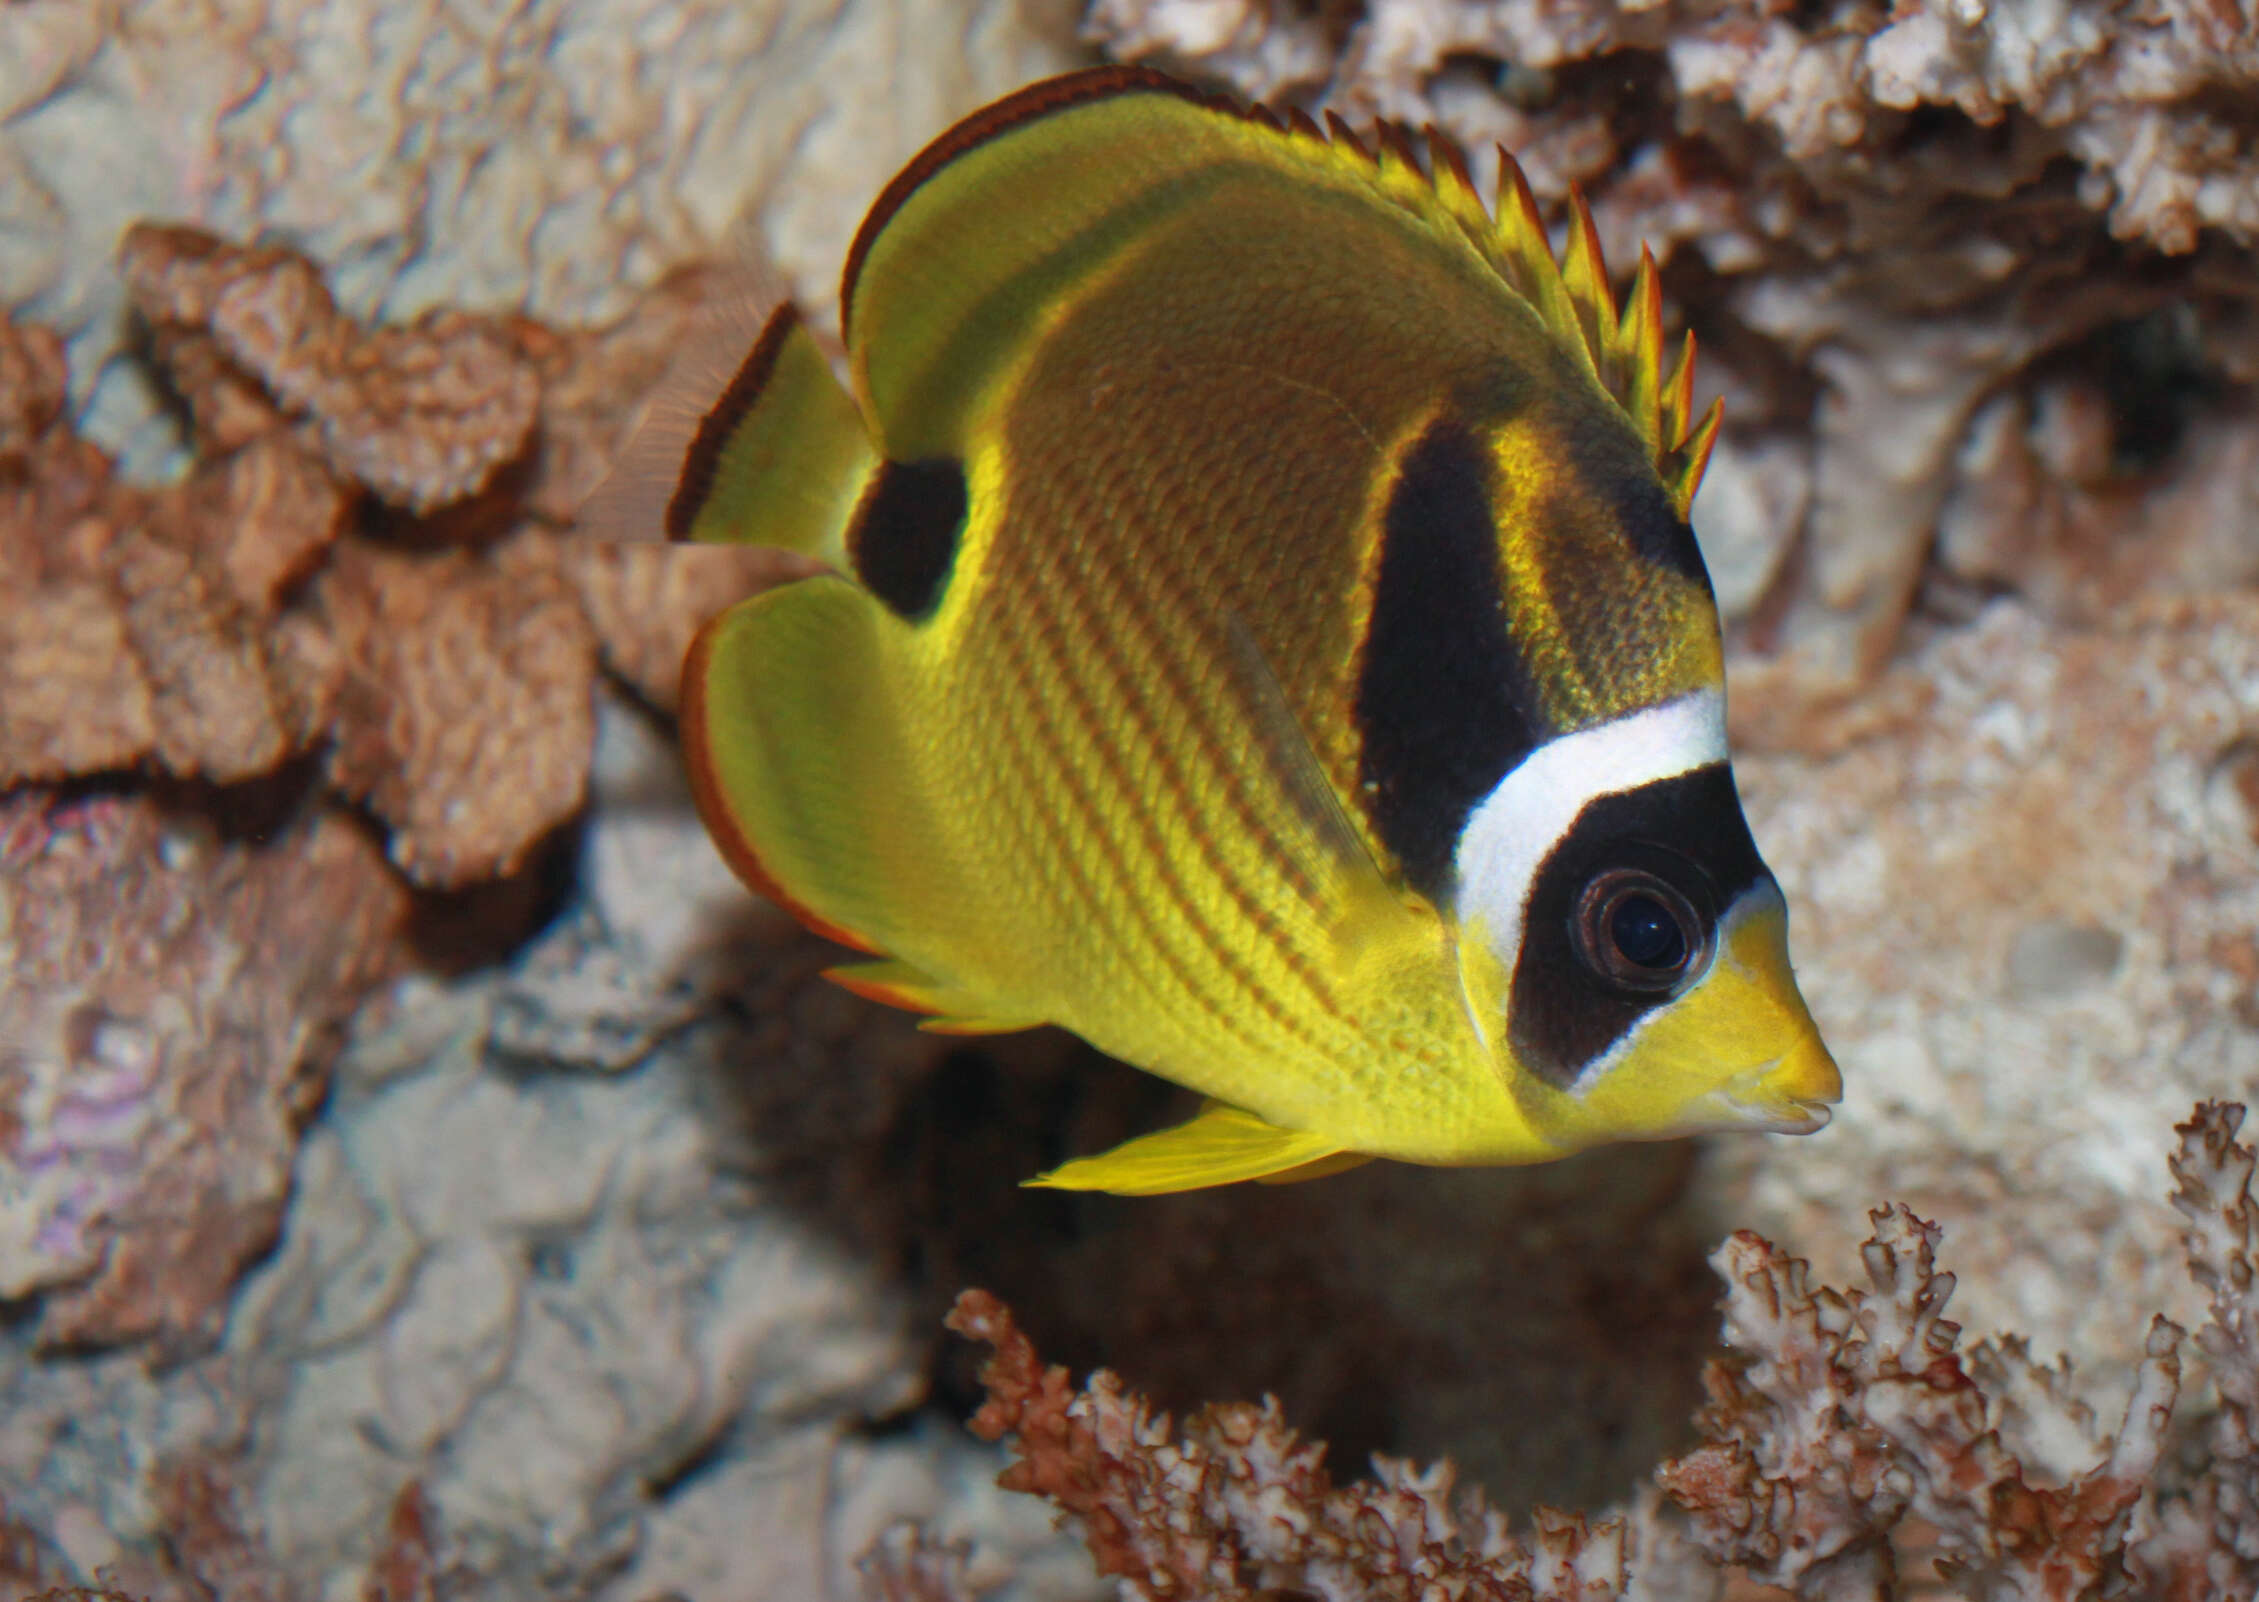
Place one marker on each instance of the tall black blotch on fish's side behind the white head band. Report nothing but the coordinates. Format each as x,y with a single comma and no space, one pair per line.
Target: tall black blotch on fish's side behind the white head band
1442,695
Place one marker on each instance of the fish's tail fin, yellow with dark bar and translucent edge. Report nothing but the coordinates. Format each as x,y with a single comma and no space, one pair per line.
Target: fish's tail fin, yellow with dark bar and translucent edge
769,451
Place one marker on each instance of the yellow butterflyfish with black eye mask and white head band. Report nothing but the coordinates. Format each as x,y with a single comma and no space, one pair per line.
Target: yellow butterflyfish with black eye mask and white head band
1266,641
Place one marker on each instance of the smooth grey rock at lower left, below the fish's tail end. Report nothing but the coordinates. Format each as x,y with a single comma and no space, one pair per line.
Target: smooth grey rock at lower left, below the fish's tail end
559,1257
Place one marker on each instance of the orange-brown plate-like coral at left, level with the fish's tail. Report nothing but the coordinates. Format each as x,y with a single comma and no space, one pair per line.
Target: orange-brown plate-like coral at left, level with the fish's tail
367,561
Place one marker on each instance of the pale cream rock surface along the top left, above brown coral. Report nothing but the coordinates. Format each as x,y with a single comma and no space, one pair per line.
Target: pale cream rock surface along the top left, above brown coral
552,159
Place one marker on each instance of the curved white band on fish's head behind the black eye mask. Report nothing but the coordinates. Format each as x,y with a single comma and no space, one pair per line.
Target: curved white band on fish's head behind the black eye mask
1517,826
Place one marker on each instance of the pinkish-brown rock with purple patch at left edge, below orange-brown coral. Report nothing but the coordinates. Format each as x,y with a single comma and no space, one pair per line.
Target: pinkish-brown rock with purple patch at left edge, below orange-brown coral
168,1007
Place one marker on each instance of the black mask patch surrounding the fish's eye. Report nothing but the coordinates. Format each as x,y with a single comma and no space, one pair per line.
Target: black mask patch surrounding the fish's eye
1689,833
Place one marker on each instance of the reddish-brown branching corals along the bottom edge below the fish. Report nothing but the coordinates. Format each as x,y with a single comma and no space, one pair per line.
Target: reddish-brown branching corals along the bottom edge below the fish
1835,1420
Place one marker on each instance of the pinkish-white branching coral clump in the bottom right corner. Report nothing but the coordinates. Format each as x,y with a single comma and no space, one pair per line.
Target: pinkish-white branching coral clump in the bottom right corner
1844,1413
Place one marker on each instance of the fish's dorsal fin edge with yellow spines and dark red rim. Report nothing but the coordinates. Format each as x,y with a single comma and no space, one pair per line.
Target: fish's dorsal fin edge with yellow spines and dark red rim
1571,297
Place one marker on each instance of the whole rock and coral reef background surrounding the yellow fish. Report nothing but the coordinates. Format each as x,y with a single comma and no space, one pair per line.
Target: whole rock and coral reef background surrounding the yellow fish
426,1172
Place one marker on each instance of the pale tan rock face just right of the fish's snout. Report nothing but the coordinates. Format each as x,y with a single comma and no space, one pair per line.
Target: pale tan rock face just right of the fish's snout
2025,914
